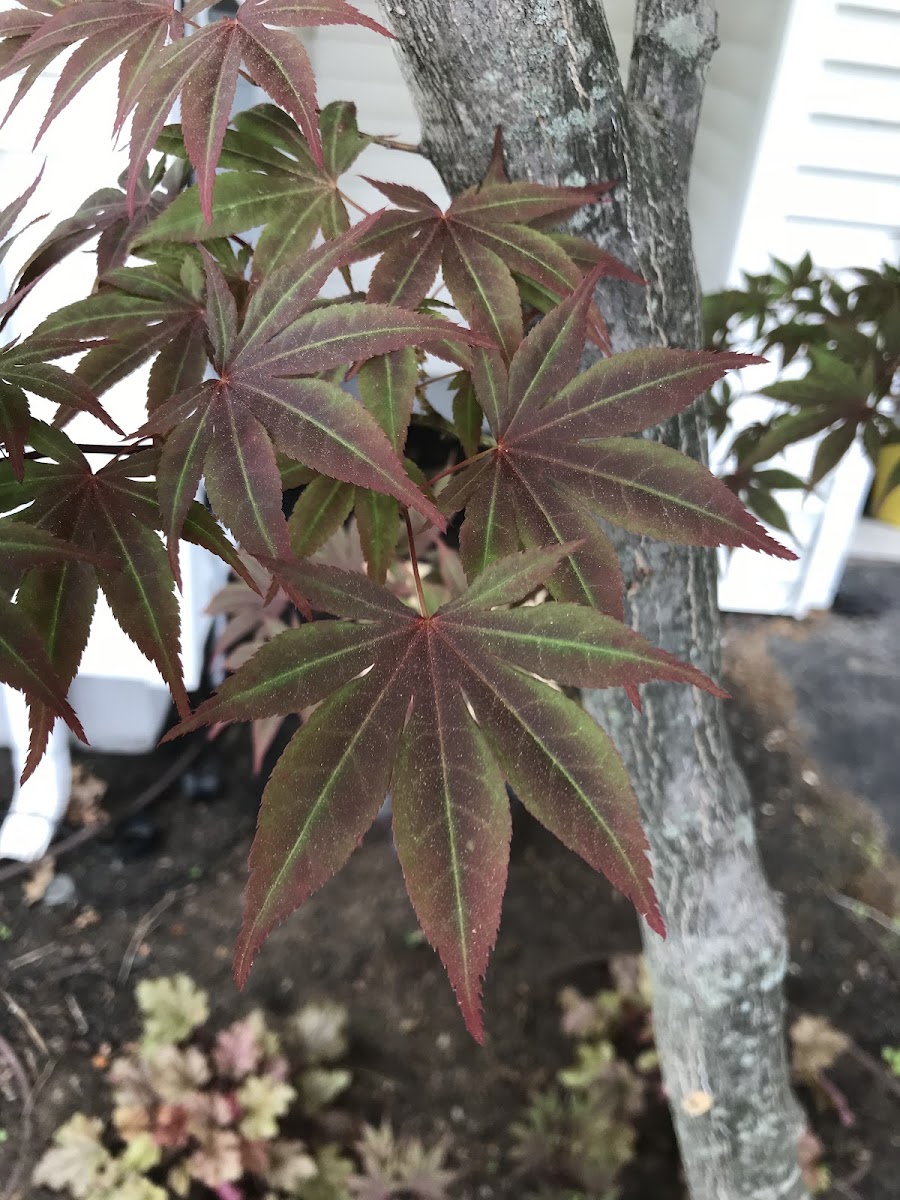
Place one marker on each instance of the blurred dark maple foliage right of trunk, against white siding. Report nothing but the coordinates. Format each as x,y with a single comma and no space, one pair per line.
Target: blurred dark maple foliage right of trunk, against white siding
845,334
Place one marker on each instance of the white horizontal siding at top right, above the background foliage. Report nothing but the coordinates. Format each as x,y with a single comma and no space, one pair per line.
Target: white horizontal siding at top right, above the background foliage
827,178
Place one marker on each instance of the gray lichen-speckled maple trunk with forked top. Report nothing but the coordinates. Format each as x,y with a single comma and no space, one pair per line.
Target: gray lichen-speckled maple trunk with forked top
547,71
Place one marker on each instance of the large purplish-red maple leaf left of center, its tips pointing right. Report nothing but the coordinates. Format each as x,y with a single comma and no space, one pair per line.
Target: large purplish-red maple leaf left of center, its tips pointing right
226,430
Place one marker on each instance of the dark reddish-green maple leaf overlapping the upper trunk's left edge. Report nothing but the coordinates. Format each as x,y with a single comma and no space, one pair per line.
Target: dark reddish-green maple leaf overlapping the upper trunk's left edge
485,238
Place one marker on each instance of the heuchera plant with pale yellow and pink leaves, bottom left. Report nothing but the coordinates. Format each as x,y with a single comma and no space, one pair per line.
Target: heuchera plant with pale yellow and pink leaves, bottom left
241,1113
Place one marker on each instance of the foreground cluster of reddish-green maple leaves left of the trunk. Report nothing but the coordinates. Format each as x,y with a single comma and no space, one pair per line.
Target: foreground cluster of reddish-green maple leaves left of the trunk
248,397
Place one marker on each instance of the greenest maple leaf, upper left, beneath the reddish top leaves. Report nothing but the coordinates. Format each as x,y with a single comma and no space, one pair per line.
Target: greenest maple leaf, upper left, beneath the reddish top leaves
272,181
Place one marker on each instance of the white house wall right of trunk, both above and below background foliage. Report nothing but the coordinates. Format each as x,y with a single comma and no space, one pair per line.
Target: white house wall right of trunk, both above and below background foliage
826,182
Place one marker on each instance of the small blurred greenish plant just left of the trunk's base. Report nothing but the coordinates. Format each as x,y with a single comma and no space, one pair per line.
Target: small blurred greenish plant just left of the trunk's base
579,1135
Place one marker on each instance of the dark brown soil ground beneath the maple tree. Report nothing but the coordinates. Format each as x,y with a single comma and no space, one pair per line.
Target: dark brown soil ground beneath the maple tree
158,903
